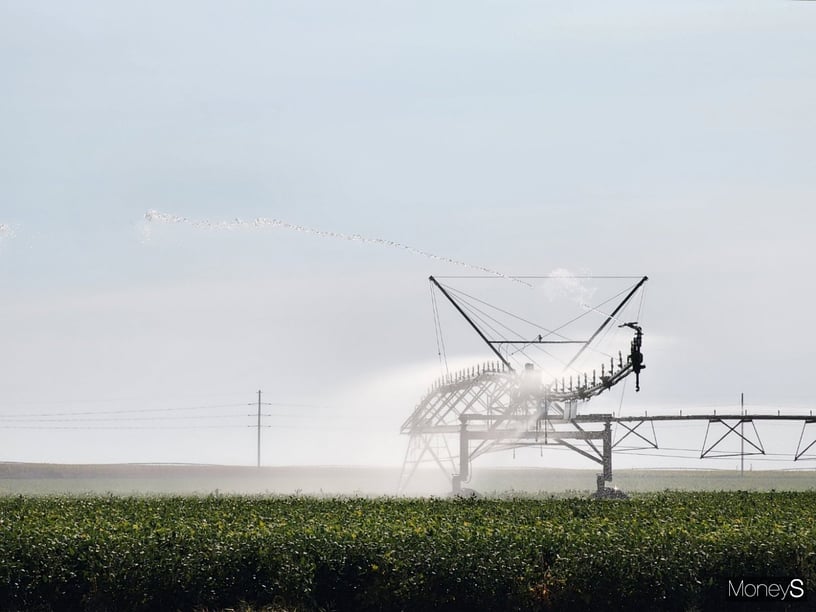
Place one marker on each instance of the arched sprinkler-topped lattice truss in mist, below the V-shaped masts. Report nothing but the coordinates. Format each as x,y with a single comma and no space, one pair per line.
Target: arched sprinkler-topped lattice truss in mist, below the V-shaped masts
500,409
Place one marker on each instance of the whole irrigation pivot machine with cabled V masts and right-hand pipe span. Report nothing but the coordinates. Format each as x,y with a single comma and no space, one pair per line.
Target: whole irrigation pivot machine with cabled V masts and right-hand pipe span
536,389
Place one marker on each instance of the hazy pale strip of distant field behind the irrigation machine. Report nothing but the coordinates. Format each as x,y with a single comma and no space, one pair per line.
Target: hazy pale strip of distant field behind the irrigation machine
22,478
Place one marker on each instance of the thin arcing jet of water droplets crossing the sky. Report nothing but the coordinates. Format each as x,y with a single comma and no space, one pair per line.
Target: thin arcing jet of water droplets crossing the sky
154,216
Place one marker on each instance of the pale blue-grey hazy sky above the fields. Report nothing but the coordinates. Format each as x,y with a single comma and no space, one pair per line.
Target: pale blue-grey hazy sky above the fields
673,139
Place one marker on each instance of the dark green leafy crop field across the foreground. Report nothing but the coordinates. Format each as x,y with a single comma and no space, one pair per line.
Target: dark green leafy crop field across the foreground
666,551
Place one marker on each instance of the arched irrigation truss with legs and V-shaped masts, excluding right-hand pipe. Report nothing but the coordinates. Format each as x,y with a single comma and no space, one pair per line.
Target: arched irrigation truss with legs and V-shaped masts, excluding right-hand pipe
495,407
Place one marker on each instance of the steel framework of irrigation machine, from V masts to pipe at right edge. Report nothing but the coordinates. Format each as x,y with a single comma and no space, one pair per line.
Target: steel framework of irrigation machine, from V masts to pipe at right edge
493,407
